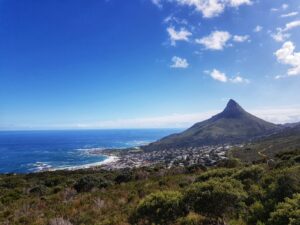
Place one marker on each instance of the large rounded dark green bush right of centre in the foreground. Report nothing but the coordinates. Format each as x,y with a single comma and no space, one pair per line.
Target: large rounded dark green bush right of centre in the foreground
215,197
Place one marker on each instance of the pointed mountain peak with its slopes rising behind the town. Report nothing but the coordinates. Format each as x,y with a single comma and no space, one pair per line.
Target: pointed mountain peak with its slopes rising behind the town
234,124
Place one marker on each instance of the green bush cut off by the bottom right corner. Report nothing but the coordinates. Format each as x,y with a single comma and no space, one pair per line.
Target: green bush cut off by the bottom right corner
287,212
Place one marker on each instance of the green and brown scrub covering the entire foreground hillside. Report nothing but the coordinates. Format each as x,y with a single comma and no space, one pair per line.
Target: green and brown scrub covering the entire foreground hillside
231,193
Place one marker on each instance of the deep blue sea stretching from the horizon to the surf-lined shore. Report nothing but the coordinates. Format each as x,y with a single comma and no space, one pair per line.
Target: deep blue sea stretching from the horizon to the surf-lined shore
33,151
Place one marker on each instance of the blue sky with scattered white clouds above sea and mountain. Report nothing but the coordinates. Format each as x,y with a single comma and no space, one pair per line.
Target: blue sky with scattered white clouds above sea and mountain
77,64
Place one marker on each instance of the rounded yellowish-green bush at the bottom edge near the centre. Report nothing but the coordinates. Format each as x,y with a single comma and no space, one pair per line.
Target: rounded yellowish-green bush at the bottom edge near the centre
159,208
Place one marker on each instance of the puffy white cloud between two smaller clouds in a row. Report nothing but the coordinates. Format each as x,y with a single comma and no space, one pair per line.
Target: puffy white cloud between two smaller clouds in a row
215,41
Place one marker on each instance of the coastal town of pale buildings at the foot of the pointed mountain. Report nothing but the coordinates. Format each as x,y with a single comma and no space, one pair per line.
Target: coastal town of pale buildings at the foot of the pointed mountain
137,157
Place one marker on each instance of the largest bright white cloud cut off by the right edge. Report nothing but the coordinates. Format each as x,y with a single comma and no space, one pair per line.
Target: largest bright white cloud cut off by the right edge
287,55
